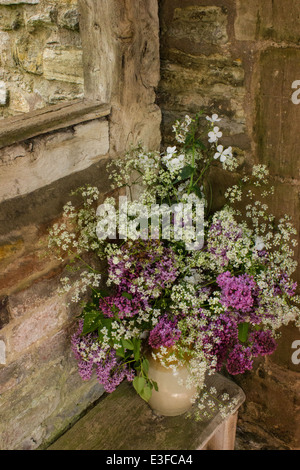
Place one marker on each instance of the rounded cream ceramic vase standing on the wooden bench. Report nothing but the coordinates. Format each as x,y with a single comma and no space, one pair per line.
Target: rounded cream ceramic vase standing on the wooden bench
173,398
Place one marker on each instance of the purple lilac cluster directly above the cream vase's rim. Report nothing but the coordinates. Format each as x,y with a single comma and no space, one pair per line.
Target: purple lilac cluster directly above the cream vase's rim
165,333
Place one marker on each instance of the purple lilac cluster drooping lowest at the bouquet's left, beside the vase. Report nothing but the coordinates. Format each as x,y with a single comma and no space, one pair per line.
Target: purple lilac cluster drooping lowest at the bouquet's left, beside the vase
90,354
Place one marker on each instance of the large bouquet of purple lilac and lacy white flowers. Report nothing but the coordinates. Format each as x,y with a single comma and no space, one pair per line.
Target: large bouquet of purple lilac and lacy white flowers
183,285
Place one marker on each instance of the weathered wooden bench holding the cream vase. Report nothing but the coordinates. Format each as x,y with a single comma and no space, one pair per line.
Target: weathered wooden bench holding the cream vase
123,421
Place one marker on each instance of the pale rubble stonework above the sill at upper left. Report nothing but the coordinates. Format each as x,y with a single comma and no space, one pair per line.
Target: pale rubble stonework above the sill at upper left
40,54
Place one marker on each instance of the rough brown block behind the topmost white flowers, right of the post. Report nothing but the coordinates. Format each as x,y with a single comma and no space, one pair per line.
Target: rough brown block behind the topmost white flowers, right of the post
191,83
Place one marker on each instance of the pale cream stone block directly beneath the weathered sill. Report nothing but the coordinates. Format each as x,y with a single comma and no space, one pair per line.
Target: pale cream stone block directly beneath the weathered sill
24,170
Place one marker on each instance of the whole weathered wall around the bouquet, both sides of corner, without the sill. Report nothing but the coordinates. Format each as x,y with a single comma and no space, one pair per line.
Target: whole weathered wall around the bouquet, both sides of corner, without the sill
238,58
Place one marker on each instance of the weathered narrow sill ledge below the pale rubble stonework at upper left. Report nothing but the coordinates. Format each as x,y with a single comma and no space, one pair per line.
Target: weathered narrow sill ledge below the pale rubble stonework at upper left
25,126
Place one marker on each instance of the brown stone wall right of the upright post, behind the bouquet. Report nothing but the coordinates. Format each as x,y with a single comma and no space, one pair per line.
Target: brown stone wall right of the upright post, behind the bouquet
240,59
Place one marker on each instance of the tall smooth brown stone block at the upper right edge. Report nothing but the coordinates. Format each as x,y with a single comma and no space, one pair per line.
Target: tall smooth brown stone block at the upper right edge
277,127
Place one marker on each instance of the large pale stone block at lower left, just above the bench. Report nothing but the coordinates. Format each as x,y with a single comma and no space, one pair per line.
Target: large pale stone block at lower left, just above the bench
45,393
